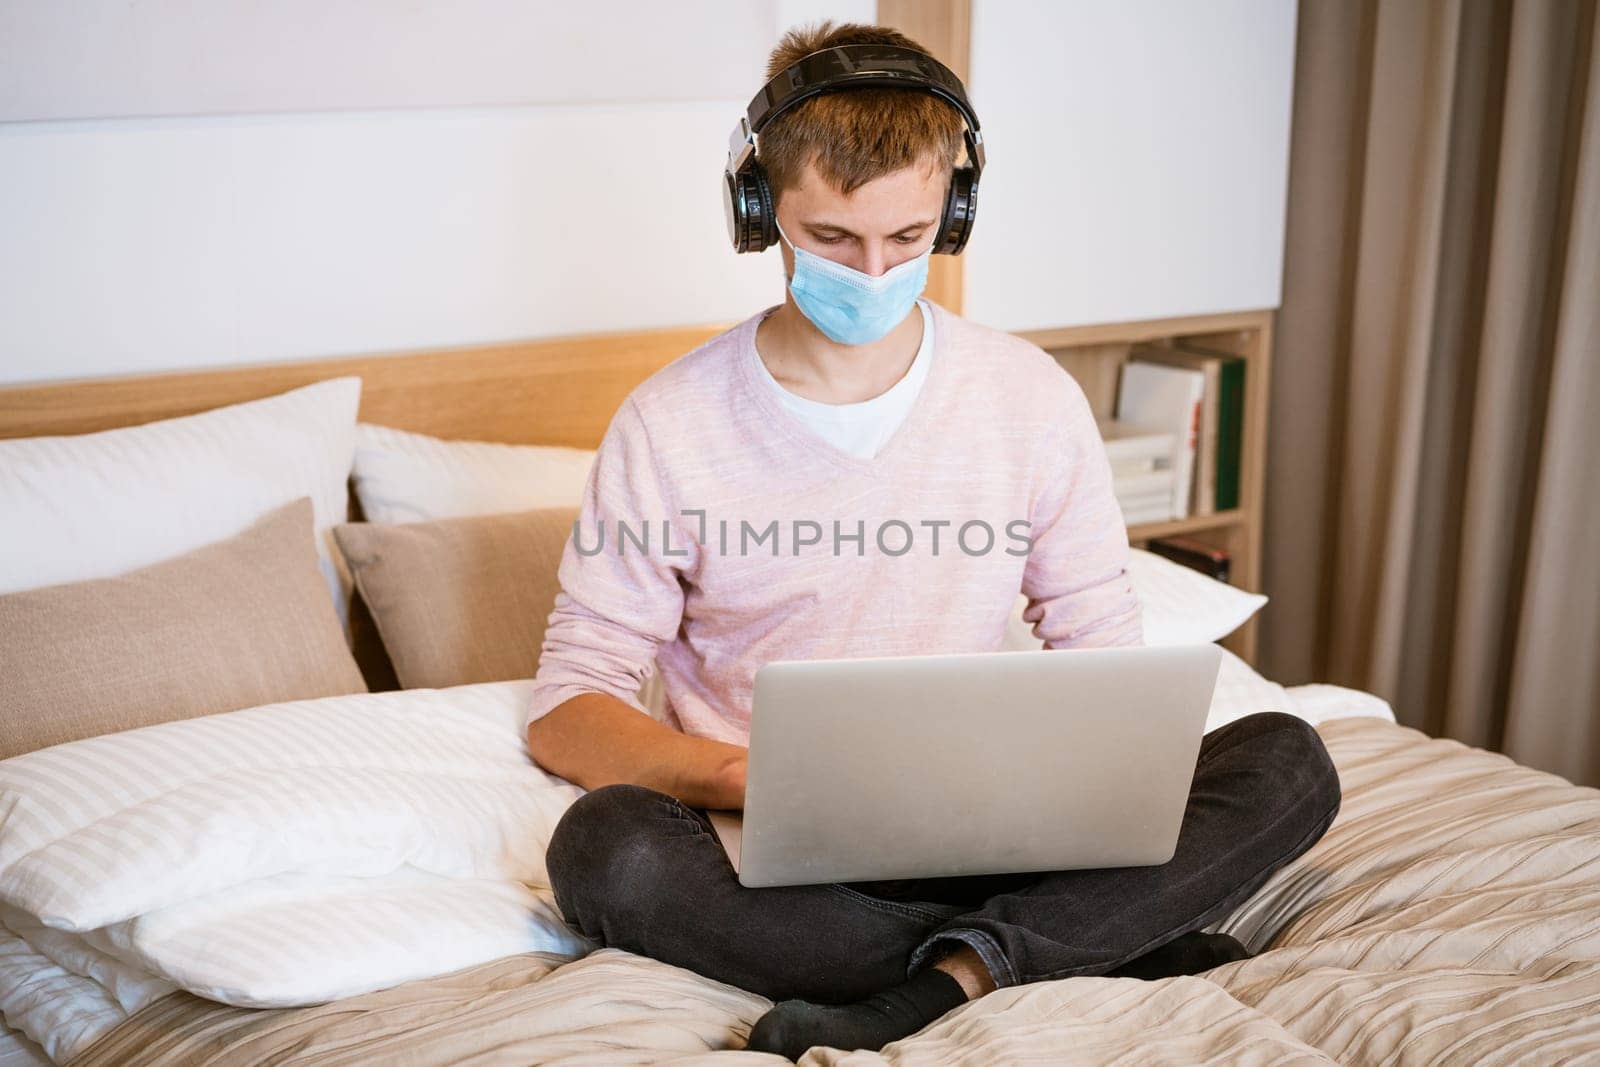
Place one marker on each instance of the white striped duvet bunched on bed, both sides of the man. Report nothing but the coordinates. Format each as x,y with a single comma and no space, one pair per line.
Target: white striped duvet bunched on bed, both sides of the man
302,853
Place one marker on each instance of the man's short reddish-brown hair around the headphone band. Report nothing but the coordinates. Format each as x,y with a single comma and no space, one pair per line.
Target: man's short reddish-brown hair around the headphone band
860,135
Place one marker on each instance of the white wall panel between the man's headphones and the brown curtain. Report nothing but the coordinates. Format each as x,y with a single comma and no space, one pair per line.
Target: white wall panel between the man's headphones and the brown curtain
1138,159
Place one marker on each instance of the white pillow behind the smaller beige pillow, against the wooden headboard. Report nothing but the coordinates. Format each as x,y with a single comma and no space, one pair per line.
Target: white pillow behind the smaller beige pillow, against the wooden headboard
406,478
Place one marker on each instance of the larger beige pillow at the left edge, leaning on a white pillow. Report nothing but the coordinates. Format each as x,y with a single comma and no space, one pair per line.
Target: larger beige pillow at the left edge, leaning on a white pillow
233,625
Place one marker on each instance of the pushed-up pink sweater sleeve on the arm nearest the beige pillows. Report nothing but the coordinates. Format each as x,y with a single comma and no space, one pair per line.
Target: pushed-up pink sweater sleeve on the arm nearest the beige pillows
620,604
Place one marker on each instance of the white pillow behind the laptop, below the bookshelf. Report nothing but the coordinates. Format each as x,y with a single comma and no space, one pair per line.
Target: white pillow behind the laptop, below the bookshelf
1182,605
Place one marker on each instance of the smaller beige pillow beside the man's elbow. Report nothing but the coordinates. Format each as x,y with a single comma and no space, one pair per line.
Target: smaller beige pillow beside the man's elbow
460,601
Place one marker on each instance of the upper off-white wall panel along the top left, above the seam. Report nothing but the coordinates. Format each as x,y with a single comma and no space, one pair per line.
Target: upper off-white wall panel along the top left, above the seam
113,58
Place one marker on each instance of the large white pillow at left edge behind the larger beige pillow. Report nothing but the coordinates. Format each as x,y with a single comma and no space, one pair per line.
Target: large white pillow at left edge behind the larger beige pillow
98,505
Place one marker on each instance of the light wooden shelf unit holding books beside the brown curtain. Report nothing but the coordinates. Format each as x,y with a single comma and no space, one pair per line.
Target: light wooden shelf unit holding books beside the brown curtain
1095,356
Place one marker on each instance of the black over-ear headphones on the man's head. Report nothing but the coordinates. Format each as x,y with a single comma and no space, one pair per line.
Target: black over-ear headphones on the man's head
748,199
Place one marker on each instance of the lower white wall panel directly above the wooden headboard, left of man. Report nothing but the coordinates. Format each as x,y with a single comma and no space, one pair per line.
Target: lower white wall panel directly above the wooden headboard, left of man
166,244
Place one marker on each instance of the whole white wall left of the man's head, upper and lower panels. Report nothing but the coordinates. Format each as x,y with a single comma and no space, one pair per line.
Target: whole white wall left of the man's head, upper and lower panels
550,188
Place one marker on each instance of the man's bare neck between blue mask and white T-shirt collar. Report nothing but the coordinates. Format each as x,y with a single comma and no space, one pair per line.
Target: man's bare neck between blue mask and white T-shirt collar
806,362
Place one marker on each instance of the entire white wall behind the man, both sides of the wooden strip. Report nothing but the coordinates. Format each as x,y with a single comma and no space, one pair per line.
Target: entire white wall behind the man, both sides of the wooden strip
196,186
